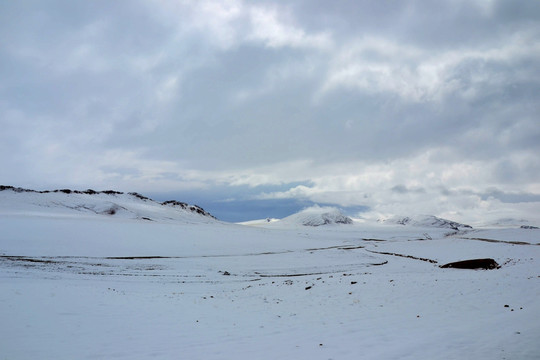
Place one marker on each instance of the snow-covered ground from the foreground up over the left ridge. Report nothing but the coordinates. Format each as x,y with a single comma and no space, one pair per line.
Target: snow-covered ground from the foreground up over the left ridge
156,281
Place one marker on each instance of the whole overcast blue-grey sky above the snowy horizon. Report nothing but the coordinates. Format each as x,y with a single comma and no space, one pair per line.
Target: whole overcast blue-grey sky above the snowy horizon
391,107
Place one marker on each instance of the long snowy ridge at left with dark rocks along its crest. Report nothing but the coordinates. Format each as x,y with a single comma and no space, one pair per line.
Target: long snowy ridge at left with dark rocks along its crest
69,203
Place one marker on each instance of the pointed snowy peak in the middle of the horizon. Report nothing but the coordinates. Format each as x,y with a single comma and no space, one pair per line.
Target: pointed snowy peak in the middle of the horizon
317,216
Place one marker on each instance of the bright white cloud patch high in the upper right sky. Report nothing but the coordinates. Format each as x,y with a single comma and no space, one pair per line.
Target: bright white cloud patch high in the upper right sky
379,65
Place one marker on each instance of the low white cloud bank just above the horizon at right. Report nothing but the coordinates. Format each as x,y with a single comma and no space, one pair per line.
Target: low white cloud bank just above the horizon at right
453,190
